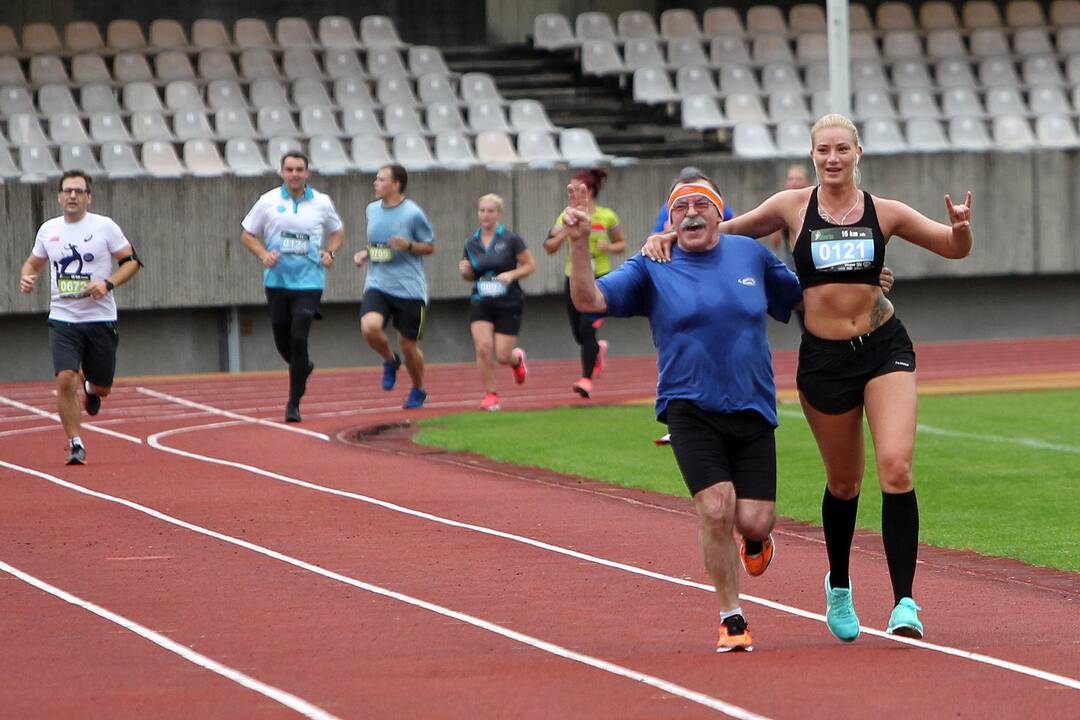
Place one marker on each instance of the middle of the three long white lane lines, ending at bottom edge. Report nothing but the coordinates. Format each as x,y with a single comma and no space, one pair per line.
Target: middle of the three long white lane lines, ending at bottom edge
660,684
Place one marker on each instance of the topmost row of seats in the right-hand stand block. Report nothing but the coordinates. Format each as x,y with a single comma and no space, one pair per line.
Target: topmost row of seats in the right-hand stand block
553,32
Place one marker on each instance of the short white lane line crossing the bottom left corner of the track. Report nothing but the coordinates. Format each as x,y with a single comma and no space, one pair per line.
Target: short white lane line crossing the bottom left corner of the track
289,700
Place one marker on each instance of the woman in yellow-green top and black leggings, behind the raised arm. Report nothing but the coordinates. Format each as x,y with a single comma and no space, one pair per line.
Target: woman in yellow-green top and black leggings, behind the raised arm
605,240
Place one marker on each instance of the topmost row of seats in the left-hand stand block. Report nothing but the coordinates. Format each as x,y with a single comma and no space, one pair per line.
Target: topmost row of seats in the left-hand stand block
249,33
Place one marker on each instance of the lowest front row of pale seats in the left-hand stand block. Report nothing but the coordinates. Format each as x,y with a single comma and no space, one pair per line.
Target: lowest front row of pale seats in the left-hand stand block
329,156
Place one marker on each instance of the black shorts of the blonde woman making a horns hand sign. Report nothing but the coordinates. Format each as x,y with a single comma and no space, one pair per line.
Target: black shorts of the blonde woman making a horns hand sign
833,374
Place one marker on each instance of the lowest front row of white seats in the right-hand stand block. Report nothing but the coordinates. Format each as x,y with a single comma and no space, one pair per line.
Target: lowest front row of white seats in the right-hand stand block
791,139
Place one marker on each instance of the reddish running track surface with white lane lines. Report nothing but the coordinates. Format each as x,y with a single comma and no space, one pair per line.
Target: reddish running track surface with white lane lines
206,565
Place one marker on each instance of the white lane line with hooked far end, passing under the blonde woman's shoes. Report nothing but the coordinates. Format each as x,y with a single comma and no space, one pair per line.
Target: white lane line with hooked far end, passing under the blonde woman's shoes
155,442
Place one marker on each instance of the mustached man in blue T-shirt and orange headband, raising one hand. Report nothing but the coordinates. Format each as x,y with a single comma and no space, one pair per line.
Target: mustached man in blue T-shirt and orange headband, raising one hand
708,311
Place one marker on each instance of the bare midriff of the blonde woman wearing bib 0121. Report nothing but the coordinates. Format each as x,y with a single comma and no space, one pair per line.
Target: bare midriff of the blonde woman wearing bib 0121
840,311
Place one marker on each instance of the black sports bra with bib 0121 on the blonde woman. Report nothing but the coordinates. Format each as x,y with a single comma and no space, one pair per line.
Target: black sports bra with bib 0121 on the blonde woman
829,253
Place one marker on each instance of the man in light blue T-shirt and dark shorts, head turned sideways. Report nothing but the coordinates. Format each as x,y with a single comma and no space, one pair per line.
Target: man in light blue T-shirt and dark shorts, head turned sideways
399,236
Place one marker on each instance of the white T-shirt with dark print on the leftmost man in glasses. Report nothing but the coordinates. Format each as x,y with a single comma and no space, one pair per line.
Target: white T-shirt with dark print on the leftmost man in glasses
79,254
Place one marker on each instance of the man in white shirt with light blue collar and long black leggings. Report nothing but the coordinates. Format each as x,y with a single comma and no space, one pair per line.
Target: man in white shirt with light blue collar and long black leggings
294,232
